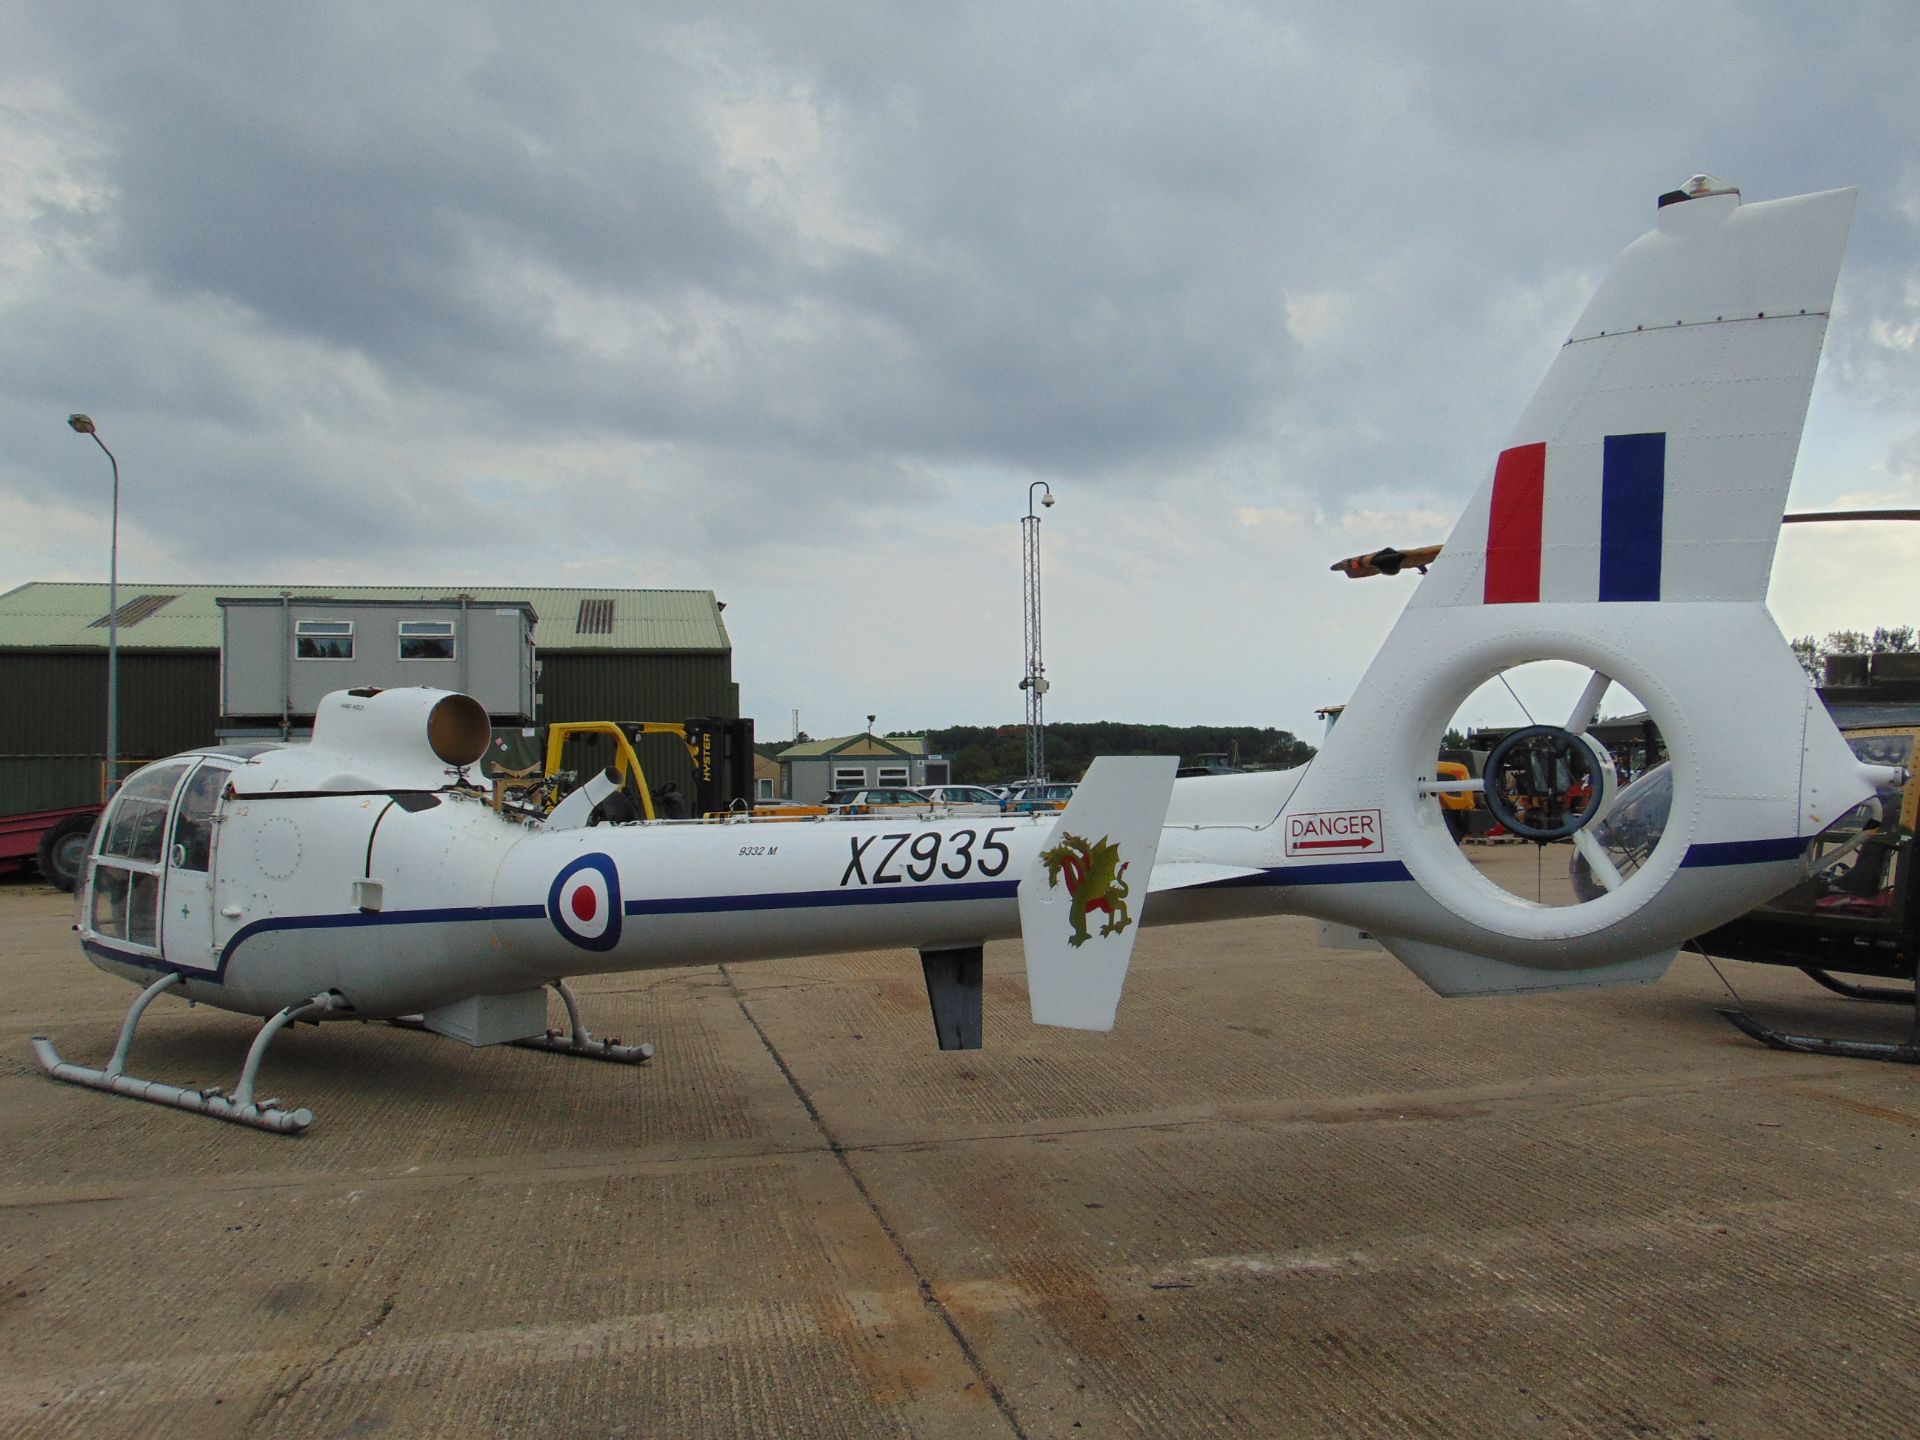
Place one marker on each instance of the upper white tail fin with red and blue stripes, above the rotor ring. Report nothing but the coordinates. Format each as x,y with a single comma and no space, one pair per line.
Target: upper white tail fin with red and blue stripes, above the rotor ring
1654,462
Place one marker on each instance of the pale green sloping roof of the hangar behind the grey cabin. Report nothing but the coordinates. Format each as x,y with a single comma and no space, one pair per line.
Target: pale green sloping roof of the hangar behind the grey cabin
68,615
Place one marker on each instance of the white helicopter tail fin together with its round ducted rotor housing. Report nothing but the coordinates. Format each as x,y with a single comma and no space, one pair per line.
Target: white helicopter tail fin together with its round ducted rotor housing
1629,527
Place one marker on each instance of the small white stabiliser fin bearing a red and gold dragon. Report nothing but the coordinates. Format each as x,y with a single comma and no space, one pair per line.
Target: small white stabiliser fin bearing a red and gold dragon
1084,898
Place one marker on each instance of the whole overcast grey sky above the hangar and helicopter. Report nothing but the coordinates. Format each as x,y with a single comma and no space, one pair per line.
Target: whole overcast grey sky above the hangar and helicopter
794,302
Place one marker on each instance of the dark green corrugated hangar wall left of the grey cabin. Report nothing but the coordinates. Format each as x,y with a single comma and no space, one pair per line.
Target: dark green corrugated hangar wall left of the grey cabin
53,729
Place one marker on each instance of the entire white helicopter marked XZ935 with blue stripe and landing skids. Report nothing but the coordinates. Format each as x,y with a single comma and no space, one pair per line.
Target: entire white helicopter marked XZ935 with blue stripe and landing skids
1627,527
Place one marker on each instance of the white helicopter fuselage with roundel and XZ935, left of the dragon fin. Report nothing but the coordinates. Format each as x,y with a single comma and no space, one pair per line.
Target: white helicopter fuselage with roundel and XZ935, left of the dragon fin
402,911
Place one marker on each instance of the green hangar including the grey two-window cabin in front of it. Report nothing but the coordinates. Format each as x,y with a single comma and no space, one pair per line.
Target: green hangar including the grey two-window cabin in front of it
197,661
